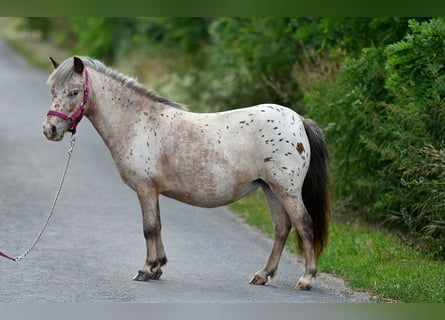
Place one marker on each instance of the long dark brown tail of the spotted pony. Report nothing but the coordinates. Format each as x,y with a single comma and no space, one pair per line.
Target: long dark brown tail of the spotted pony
315,187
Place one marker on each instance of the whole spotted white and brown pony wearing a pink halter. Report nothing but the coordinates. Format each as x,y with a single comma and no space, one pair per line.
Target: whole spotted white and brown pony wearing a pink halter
206,160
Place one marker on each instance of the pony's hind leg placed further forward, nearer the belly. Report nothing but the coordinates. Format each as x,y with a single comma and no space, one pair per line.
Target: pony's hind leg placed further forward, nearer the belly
282,227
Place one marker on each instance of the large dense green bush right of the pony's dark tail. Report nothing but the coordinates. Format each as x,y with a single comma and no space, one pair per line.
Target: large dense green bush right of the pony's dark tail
384,119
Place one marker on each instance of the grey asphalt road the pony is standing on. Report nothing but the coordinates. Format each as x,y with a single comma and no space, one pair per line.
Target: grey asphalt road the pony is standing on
94,243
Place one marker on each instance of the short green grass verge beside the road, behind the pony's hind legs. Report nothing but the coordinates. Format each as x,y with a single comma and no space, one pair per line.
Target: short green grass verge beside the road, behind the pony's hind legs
368,259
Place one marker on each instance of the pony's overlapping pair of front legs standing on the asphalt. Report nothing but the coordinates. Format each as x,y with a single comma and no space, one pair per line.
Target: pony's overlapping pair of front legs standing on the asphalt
156,258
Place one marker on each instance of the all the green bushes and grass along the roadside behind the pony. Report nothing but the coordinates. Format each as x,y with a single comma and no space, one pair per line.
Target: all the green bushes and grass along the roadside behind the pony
376,86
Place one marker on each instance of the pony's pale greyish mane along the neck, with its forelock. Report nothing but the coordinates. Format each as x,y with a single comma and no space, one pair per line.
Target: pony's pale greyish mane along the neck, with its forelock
66,70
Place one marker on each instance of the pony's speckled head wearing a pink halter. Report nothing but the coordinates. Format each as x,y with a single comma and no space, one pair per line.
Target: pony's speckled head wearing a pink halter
69,91
